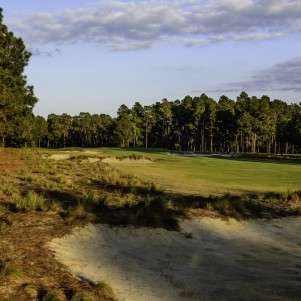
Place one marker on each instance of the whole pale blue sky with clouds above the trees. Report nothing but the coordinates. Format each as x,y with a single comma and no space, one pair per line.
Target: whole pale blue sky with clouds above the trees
93,56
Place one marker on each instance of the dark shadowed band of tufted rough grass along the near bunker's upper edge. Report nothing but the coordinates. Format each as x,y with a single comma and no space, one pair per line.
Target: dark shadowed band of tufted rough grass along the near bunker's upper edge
145,205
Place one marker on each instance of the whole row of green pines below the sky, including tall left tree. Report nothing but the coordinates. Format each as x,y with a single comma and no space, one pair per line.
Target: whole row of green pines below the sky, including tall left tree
249,124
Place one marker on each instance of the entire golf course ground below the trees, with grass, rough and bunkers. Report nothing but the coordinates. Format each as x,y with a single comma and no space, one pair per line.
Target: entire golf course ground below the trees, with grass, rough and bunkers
148,224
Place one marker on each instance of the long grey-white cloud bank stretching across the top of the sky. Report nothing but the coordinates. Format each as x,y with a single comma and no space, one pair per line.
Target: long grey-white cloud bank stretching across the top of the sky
134,25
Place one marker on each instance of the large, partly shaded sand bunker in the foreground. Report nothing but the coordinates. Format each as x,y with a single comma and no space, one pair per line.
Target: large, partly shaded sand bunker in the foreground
253,260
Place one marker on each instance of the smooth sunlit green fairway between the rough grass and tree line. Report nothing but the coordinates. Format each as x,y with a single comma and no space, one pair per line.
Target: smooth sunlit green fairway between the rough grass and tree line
210,175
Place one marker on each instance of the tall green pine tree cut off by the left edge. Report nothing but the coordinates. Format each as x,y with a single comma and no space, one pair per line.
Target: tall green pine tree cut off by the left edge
16,96
